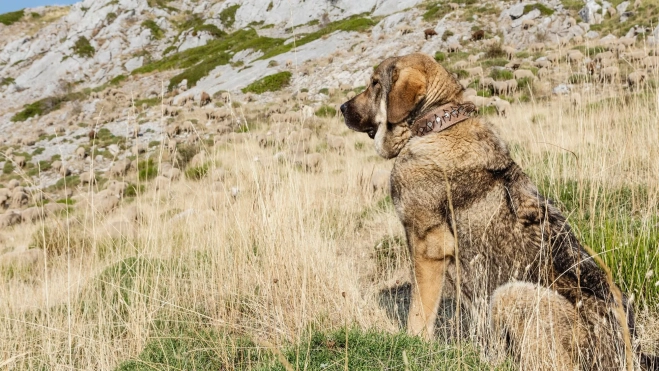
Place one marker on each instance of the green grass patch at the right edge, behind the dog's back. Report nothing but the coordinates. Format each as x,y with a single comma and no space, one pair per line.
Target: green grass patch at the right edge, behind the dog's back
607,224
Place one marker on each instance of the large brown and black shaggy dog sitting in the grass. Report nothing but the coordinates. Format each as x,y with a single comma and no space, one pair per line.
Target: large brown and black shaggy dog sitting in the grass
476,225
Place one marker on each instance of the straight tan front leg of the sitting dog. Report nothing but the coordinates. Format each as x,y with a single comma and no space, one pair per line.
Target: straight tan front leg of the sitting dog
430,253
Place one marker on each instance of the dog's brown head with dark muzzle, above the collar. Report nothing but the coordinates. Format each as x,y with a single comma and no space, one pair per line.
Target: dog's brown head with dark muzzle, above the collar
401,89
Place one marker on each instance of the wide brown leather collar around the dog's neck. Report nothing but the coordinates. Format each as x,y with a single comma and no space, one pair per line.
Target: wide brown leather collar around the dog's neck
443,118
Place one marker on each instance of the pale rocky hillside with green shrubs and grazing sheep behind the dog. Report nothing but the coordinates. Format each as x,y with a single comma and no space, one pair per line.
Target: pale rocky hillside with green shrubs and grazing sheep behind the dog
86,89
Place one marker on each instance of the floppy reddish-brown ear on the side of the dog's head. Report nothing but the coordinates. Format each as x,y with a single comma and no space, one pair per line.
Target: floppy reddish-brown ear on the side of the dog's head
408,87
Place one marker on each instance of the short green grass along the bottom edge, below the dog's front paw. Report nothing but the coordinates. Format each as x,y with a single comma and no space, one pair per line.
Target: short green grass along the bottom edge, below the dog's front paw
193,345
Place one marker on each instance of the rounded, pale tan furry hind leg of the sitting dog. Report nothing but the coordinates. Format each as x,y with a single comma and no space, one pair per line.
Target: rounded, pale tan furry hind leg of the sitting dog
539,325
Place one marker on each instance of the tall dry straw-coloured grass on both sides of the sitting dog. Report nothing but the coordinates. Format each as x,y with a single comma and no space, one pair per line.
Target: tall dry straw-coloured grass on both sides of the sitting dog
296,251
